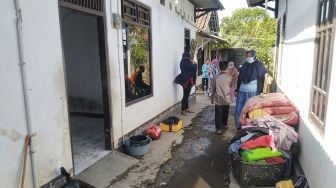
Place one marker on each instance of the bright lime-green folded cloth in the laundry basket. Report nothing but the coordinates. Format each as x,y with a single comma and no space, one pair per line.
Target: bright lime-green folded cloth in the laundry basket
258,154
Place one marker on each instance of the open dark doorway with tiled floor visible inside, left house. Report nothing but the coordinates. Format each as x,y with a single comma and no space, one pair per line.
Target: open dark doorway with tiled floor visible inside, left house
84,50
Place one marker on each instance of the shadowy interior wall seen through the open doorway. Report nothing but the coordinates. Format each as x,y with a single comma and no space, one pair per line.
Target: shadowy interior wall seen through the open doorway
82,61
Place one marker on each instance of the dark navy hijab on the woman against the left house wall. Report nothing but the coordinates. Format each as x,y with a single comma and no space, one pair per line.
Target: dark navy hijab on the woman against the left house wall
188,69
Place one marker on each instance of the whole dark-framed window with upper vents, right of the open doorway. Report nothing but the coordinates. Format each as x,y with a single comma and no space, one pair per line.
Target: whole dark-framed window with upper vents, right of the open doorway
136,35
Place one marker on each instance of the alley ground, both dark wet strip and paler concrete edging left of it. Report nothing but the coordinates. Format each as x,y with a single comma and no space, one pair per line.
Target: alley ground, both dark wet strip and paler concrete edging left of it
198,156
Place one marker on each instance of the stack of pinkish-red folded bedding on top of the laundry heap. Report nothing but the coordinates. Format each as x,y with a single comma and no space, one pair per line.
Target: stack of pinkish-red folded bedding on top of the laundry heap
274,104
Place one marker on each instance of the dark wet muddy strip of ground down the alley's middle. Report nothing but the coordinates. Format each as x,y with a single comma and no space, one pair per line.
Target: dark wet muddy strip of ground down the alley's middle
202,159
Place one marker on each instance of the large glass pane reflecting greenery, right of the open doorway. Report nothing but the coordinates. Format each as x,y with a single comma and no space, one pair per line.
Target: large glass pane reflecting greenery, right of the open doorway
137,62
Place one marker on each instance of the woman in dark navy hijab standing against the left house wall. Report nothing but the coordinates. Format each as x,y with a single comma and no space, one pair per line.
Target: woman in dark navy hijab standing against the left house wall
187,79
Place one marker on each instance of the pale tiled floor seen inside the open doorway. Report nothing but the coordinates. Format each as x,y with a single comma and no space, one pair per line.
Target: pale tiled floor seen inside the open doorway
88,141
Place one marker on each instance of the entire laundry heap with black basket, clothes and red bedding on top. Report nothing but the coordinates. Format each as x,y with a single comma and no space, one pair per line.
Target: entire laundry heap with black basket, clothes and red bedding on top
266,138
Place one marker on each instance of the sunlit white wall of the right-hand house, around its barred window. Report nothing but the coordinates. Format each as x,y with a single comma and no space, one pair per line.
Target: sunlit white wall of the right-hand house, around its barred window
318,155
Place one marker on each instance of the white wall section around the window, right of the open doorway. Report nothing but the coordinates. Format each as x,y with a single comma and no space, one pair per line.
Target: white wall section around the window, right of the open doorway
167,48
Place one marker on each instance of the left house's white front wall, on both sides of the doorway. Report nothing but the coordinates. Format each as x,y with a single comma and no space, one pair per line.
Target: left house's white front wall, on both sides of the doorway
46,84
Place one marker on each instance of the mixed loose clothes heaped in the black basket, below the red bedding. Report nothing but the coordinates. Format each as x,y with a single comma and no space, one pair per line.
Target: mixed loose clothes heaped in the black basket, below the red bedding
265,140
